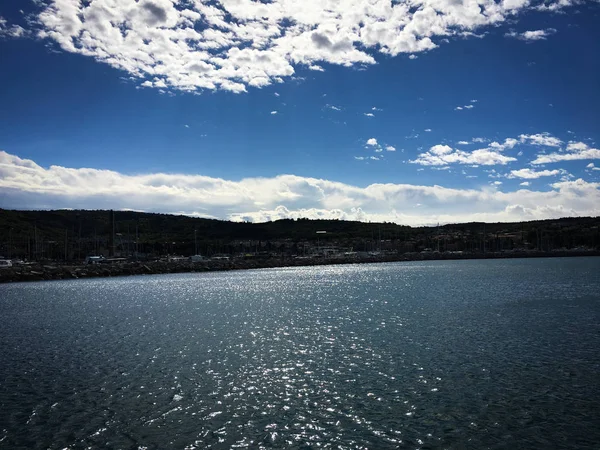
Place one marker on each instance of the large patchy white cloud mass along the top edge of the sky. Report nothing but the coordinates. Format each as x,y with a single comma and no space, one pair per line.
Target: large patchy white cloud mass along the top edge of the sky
233,45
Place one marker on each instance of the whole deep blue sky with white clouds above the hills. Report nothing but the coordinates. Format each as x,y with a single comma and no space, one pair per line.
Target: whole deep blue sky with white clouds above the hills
414,112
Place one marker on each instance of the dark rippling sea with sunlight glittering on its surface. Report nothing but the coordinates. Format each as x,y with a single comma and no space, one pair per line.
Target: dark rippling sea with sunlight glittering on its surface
479,354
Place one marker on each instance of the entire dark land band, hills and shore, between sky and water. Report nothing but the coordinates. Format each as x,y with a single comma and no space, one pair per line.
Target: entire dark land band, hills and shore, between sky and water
66,244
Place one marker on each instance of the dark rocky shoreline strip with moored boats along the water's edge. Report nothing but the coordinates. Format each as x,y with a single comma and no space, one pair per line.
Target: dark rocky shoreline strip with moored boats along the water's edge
48,272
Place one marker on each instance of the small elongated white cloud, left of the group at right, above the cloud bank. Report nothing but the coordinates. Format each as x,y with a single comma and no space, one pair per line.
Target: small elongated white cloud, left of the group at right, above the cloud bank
441,155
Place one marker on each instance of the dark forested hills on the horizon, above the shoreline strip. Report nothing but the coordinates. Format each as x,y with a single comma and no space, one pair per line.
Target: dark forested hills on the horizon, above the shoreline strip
76,233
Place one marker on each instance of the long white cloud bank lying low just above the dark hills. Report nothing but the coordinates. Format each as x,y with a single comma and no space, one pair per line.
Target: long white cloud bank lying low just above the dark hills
23,182
